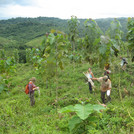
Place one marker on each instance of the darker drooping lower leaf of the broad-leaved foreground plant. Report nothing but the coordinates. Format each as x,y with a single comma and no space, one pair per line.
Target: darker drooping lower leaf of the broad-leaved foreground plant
74,122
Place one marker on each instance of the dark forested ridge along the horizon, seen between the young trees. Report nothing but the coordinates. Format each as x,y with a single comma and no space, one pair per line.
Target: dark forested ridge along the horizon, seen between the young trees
26,29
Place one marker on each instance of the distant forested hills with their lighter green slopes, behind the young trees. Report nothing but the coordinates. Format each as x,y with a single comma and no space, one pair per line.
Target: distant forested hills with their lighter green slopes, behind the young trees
20,33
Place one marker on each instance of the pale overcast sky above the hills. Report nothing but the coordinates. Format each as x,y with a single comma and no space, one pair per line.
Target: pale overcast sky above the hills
64,9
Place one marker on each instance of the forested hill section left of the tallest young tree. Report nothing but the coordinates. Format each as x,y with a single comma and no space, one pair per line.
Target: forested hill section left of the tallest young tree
26,29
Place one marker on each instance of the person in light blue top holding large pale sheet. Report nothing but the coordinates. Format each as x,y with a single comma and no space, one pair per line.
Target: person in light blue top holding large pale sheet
90,75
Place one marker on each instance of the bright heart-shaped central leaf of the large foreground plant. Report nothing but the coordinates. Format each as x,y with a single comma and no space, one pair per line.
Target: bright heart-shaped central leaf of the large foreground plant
83,111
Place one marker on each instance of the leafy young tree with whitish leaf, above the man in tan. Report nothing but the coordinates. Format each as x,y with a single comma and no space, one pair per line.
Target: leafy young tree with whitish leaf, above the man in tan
110,43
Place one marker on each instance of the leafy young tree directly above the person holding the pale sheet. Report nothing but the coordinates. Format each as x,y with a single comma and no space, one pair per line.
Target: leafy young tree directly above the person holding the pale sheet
91,40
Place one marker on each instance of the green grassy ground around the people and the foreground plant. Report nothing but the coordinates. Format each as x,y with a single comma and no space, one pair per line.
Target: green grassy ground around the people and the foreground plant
17,116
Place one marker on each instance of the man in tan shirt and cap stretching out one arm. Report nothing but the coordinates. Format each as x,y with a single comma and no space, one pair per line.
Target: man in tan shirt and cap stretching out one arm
105,87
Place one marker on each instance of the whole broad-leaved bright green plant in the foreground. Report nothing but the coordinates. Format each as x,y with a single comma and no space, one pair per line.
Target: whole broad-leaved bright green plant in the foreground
82,111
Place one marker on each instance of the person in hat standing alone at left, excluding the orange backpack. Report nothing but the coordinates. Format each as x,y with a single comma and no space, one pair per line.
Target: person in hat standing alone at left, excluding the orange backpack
32,88
